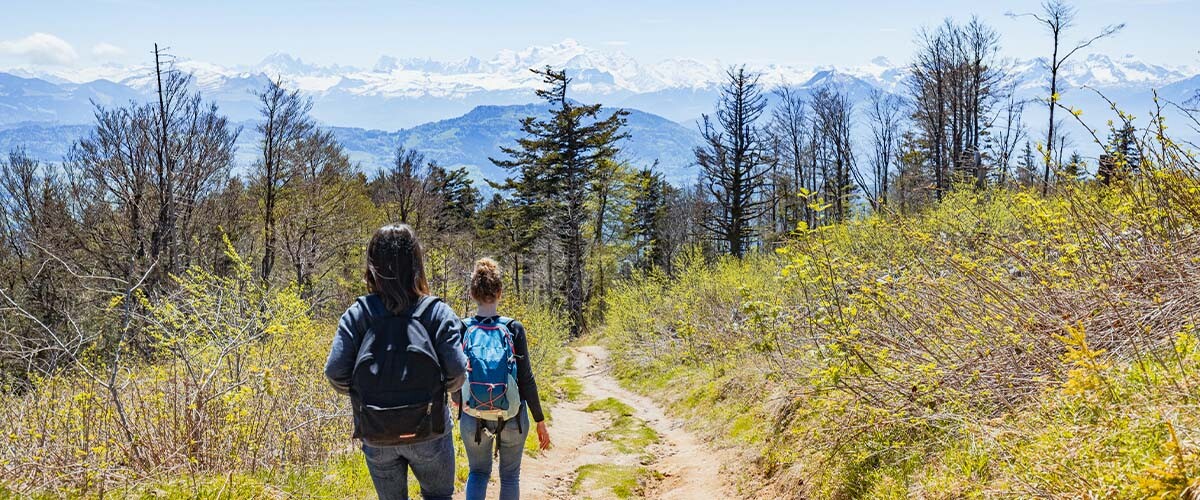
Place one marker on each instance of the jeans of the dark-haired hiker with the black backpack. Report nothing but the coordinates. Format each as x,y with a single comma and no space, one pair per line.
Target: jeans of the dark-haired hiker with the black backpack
433,463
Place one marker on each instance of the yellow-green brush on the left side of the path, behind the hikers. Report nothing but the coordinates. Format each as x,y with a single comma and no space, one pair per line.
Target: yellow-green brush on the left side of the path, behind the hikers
233,396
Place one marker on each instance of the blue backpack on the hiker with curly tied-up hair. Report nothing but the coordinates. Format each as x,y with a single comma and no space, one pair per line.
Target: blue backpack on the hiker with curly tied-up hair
490,393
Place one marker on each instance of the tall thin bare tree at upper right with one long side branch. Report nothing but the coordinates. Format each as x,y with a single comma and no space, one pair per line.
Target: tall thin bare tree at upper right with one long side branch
1058,17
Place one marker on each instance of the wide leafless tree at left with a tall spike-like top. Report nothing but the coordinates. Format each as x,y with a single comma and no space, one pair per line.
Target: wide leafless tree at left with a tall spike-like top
139,178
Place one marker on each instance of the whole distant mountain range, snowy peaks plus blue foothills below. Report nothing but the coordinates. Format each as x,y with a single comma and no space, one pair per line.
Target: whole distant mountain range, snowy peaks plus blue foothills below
461,112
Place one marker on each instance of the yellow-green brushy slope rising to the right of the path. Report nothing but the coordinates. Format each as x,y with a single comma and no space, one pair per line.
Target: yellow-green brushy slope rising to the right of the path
1001,344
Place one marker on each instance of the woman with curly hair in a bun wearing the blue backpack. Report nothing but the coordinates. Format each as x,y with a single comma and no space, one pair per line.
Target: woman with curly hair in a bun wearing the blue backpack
493,419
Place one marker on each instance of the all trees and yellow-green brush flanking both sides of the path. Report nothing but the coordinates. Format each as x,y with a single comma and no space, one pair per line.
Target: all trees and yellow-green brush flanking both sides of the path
959,306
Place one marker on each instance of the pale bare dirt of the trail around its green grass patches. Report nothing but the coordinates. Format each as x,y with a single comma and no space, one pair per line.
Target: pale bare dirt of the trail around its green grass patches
679,466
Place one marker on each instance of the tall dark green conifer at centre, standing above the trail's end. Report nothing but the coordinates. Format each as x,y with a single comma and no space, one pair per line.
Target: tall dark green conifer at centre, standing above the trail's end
556,165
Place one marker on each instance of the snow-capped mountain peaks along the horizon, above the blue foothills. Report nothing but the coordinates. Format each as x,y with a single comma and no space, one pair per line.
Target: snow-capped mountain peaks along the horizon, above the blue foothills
400,93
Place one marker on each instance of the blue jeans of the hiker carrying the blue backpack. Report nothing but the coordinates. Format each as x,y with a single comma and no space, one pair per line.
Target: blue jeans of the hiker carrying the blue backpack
479,456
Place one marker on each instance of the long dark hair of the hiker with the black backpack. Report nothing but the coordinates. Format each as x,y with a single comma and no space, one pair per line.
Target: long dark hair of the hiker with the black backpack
397,268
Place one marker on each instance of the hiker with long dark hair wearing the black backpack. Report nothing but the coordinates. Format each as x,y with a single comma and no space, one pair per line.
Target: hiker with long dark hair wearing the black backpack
398,356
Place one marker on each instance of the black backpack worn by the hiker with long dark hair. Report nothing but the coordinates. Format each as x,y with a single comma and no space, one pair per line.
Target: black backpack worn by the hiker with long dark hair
398,389
